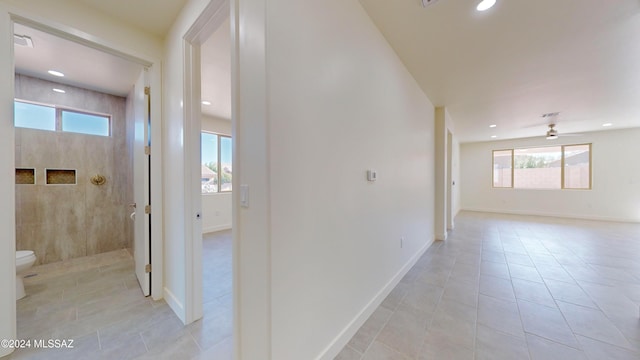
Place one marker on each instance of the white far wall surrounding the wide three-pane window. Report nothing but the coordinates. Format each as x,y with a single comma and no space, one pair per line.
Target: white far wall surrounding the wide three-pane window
615,193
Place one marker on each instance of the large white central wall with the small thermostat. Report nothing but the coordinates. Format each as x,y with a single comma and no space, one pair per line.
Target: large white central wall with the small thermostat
340,103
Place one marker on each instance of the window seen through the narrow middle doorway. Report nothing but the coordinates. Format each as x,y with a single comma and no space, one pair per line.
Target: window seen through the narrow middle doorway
216,163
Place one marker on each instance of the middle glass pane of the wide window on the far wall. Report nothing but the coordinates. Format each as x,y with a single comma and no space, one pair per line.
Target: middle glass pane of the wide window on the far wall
538,168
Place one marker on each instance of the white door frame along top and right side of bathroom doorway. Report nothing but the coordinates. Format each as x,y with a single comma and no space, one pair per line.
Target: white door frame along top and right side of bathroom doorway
153,65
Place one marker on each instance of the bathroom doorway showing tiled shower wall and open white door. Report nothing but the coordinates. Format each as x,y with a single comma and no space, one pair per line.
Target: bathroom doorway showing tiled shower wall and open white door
81,113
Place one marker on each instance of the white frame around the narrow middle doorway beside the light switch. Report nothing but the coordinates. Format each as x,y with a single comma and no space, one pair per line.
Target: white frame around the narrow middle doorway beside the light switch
250,132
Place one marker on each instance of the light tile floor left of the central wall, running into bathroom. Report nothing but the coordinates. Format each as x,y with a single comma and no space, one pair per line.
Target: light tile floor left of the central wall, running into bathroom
97,302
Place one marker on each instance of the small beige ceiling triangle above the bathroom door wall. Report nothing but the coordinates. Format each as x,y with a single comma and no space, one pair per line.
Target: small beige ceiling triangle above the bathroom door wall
153,16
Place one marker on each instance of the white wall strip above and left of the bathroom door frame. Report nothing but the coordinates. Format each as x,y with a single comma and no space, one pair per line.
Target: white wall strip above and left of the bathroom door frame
84,22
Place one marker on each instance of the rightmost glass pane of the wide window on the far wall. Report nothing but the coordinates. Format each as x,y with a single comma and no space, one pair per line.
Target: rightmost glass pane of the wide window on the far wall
577,172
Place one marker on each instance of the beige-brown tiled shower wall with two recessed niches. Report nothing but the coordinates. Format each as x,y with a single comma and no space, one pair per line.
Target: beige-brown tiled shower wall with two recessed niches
60,222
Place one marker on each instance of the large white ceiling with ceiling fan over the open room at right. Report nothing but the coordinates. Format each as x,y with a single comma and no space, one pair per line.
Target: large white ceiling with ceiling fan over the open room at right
520,59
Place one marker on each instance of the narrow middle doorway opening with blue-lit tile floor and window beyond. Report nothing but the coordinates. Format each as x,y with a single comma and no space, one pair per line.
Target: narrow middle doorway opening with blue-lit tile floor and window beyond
208,99
